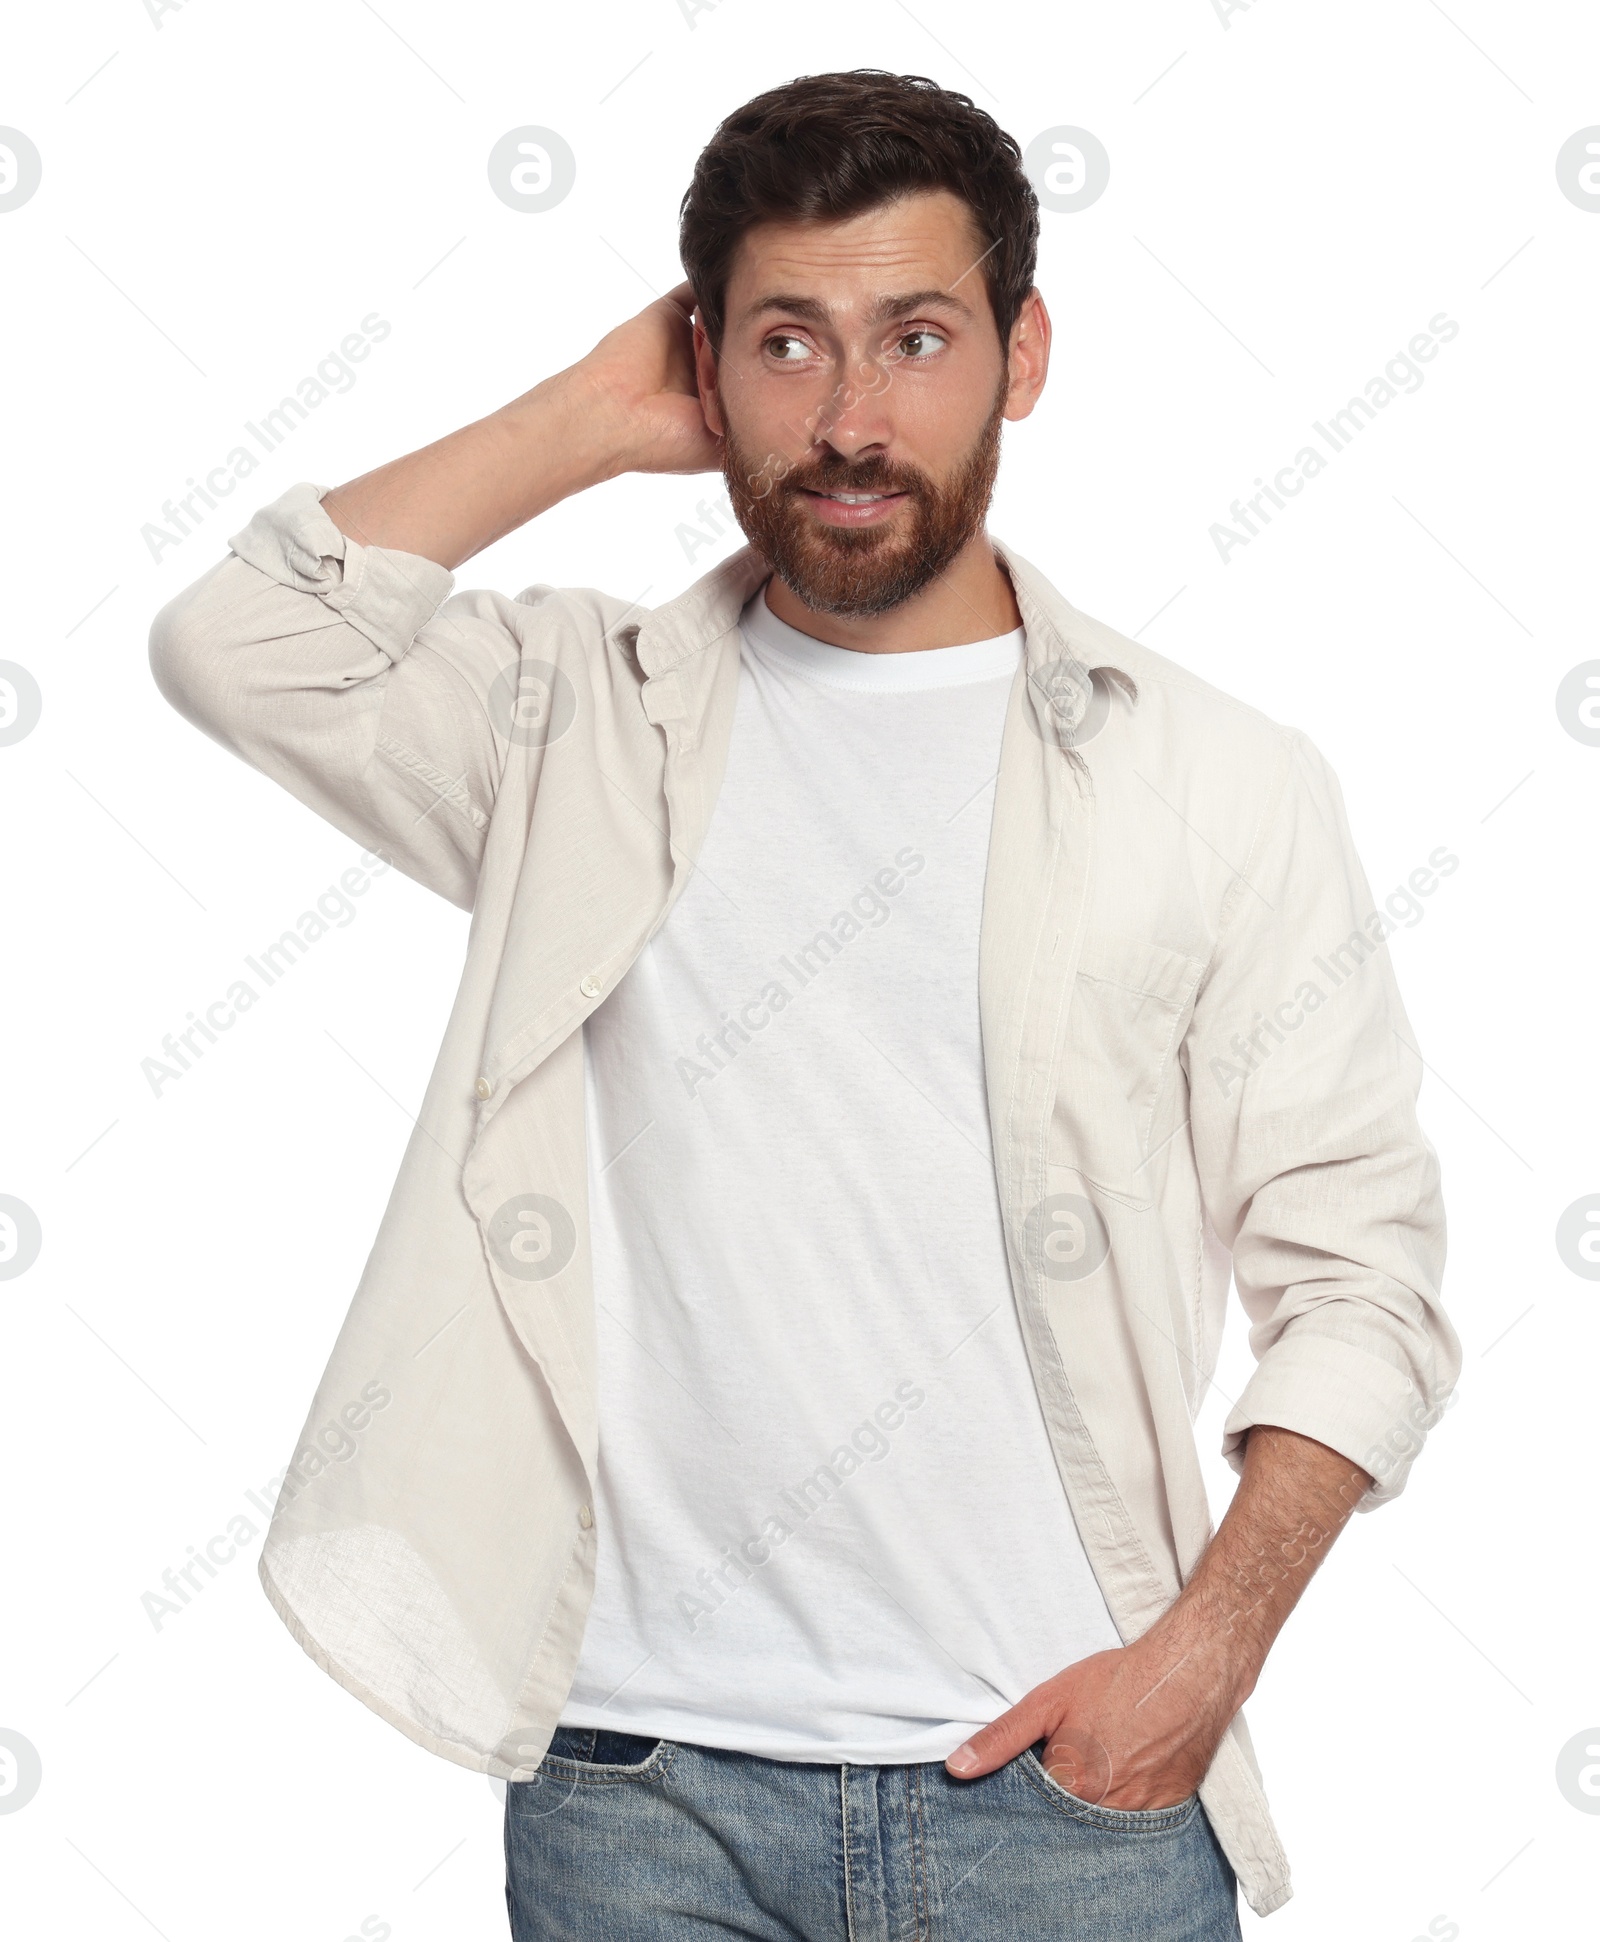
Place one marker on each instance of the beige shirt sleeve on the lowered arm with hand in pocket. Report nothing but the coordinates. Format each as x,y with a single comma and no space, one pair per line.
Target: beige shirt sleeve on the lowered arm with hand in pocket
1304,1079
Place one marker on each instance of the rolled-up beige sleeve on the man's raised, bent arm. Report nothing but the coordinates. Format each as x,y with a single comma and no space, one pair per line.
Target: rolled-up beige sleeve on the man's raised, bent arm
337,671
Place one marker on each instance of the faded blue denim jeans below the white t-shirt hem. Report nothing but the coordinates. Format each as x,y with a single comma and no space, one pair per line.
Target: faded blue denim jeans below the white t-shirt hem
630,1840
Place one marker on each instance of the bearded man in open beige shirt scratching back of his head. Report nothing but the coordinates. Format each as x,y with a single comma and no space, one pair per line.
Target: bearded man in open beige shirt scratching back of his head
886,1024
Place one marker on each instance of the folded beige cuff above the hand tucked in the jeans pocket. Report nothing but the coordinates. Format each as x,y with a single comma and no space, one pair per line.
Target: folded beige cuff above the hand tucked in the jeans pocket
1345,1397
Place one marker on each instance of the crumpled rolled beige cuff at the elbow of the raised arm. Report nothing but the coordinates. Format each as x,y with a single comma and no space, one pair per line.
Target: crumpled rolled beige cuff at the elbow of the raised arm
385,595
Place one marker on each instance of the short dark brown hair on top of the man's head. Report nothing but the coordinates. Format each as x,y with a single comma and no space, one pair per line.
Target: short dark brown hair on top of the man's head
830,147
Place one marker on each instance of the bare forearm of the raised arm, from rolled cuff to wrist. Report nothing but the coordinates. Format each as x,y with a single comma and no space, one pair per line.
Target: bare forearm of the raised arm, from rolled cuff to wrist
461,494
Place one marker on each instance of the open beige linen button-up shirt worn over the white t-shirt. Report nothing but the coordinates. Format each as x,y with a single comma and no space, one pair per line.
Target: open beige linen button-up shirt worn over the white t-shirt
1168,1094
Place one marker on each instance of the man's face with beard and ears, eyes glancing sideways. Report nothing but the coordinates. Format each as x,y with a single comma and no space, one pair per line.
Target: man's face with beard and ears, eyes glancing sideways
859,393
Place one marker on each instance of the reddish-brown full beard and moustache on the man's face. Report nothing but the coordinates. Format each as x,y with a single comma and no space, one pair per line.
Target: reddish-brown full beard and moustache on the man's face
879,568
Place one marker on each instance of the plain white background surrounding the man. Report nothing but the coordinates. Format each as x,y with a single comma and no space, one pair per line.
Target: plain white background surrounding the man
1294,193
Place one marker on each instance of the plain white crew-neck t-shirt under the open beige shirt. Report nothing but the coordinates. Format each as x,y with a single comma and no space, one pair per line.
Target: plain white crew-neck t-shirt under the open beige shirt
830,1522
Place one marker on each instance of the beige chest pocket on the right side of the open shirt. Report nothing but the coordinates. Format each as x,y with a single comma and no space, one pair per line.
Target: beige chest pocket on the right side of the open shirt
1119,1094
